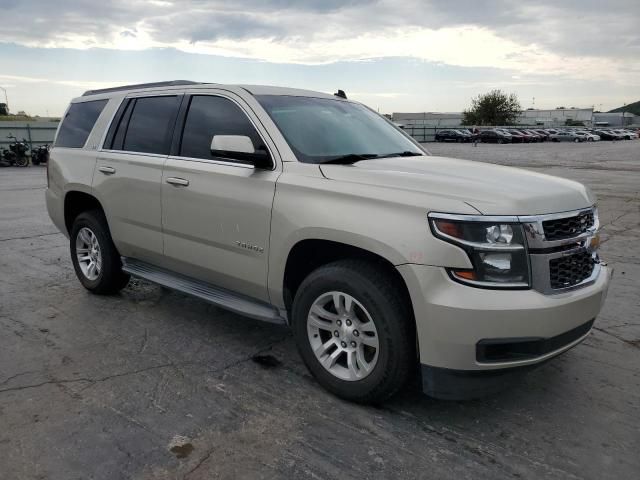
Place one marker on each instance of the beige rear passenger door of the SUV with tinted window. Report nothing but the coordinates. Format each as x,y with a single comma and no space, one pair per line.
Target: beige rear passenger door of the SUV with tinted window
128,172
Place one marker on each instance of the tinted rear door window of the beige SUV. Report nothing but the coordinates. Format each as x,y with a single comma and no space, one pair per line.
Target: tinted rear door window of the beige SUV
149,125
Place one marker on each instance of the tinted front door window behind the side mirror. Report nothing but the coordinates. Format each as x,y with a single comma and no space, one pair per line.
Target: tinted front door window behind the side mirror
209,116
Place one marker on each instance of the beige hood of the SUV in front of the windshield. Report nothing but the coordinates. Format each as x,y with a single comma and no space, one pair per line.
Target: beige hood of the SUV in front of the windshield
490,189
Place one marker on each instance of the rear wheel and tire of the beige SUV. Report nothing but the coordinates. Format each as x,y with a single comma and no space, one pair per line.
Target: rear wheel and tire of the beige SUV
107,276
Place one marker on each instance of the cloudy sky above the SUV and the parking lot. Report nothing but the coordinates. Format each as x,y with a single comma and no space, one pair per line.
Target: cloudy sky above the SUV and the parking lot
395,55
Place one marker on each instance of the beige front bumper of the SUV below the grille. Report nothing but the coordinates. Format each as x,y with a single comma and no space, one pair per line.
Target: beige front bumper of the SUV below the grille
452,320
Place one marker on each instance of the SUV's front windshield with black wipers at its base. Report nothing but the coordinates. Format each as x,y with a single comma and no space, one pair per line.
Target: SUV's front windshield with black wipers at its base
321,130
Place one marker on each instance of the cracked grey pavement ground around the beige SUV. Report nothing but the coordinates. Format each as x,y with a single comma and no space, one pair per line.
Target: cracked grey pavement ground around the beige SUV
153,384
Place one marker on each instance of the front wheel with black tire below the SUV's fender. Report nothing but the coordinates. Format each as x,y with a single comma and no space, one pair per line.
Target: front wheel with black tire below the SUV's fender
377,298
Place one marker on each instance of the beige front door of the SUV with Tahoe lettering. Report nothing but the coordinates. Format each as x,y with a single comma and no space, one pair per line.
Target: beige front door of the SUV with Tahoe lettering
216,212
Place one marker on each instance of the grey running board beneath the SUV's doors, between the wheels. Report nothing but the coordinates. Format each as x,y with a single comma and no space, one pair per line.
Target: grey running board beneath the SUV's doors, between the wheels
218,296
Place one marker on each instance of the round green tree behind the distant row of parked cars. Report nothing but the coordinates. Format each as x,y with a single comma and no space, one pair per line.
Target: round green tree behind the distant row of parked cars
493,108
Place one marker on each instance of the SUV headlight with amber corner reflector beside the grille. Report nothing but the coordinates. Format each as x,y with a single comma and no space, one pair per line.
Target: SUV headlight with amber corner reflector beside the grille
496,248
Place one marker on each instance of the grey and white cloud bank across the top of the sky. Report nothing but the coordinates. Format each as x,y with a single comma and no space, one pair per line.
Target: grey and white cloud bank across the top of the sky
574,38
